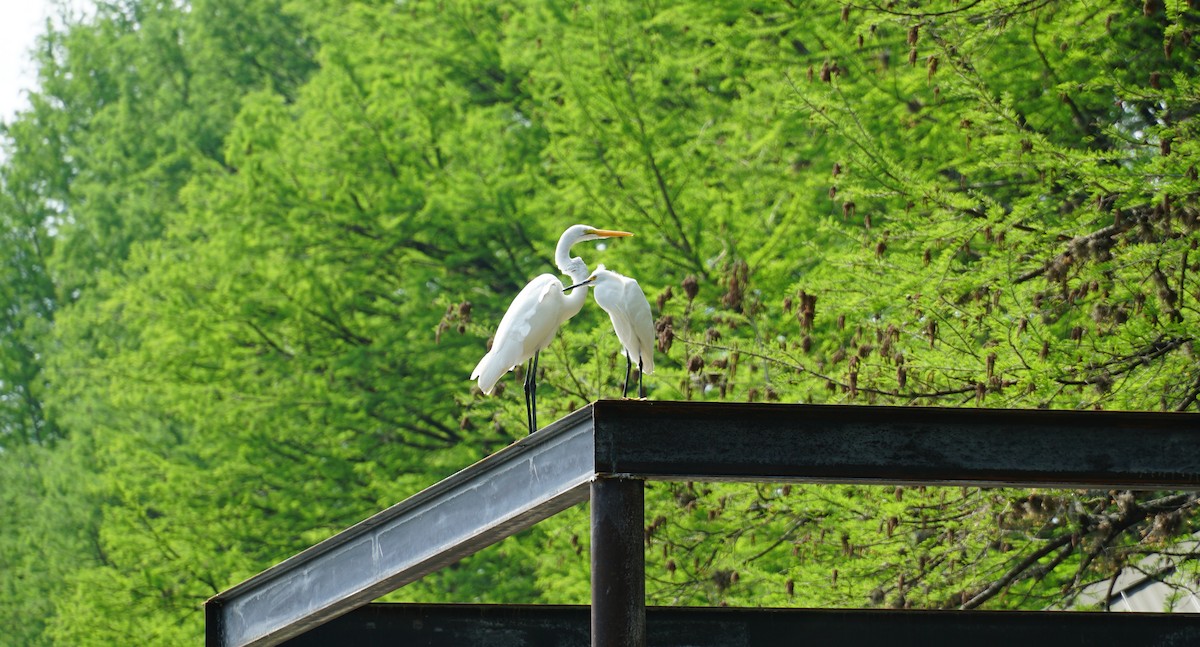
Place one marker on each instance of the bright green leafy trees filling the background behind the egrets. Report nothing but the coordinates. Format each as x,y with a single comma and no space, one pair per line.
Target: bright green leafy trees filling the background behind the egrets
251,251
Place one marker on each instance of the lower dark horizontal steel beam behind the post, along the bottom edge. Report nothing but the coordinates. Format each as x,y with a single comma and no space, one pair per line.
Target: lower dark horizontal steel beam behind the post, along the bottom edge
505,626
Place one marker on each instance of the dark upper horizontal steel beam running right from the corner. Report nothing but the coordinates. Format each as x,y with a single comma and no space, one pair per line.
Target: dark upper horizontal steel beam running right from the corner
713,441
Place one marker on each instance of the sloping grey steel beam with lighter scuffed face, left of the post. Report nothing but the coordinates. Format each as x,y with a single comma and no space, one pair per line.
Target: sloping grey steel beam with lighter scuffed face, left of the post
482,505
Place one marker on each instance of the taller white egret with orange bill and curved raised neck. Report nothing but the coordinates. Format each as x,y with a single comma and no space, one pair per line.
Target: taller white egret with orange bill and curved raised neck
535,316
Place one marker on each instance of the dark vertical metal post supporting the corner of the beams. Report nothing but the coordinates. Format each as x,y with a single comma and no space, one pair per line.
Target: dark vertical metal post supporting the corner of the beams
619,564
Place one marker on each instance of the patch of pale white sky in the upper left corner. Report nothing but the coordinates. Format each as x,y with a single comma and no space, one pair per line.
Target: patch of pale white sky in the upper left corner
21,22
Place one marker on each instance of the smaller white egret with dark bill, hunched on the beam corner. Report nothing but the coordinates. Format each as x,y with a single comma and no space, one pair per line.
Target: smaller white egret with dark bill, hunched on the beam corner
626,303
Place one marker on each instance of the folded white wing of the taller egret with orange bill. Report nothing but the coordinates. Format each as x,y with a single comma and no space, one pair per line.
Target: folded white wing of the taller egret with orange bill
527,327
